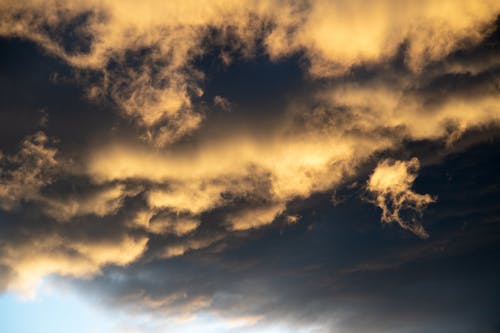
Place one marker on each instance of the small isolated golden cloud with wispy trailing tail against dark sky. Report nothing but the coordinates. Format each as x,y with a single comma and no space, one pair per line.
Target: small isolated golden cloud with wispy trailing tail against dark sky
391,184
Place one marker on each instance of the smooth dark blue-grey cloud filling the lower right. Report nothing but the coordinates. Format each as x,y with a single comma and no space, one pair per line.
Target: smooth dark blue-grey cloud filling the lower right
359,284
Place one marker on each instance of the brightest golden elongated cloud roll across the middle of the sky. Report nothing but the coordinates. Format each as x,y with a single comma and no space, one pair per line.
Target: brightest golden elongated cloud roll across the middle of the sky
294,166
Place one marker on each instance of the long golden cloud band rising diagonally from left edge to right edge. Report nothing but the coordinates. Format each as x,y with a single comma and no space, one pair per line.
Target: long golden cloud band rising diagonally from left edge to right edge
248,181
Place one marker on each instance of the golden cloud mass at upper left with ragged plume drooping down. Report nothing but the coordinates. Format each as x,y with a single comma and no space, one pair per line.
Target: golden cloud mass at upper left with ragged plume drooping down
144,51
